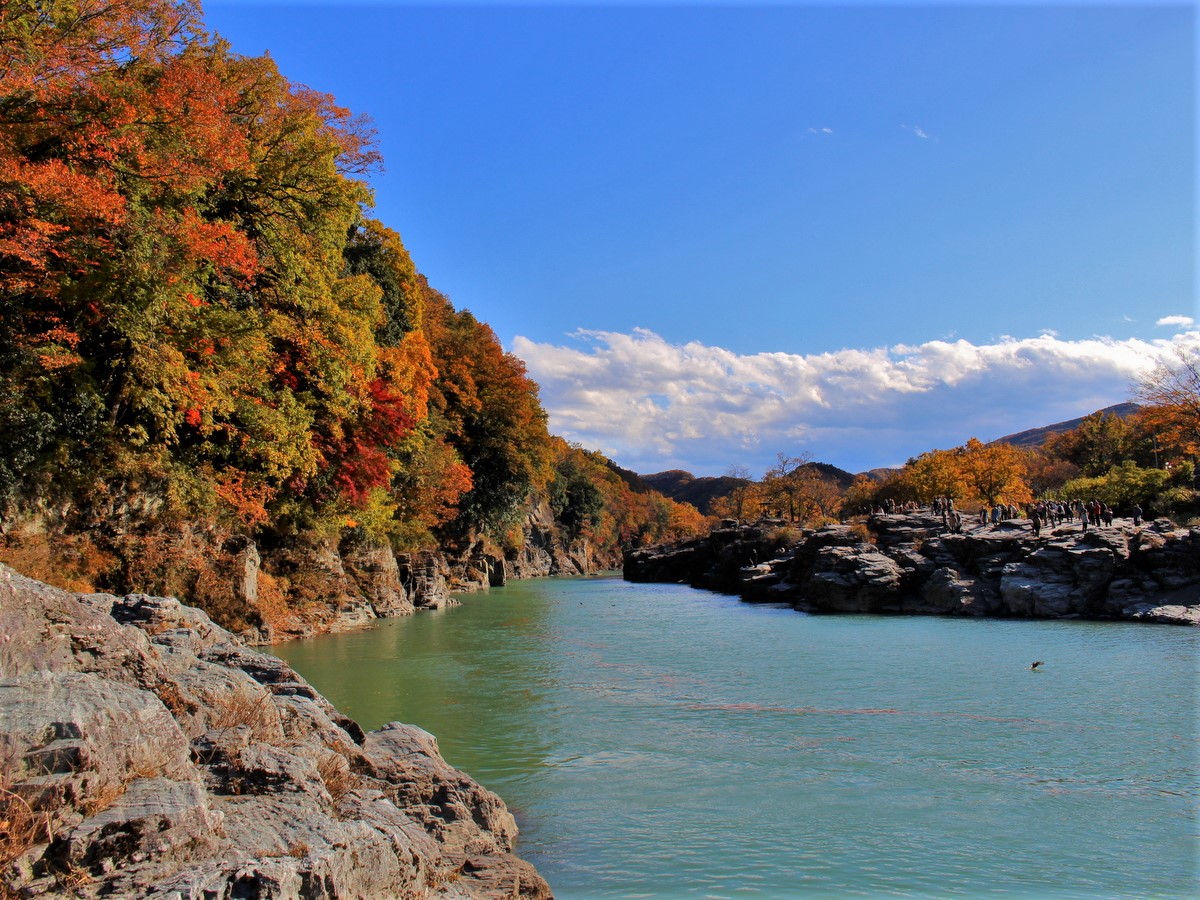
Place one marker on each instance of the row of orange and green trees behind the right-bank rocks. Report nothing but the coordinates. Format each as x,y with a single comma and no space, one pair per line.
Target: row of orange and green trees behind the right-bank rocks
1148,458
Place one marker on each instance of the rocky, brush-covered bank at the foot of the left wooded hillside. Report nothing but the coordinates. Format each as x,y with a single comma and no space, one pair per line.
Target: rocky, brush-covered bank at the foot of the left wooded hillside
284,587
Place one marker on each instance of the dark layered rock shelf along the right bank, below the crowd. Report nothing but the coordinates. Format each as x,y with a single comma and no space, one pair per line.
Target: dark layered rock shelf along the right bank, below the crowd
910,565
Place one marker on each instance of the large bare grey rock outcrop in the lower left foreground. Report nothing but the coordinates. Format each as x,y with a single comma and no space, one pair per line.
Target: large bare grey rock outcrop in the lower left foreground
145,752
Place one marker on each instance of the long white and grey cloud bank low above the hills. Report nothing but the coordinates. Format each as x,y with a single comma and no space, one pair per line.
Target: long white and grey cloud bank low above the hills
653,406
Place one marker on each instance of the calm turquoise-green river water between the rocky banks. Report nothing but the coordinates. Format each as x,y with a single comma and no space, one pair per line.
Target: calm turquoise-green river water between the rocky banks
658,741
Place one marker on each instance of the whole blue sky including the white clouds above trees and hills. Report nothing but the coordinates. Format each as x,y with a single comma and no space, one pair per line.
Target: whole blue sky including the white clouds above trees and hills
719,232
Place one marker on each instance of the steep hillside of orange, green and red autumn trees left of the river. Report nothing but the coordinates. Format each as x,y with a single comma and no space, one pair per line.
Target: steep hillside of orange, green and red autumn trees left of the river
206,340
